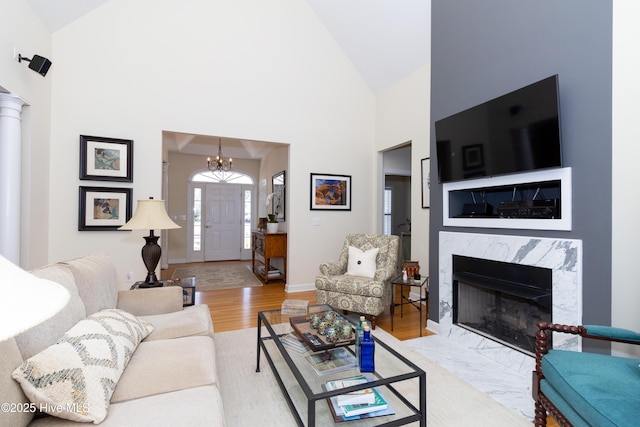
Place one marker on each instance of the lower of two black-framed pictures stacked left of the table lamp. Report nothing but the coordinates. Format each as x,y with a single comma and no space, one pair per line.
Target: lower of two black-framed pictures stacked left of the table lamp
103,209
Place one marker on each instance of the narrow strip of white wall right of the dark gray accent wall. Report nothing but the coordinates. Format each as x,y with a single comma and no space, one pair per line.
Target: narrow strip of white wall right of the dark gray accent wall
626,151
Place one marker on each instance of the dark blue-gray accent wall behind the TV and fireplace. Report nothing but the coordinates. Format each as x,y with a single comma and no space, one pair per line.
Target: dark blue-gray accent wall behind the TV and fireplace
484,49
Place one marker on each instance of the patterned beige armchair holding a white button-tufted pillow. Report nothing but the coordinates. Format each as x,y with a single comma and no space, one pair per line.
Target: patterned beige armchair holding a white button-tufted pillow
347,284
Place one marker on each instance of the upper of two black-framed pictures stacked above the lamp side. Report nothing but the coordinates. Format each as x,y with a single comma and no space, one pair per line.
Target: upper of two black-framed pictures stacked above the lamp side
106,159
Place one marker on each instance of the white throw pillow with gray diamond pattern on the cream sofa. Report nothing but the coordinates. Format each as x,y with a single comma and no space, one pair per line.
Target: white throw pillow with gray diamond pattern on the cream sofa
75,377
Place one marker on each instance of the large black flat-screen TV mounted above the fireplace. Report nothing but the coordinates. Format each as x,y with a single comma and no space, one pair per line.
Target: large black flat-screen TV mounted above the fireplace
516,132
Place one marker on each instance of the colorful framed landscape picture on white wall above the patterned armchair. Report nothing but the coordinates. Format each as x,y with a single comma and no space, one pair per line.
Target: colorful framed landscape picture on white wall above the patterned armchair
330,192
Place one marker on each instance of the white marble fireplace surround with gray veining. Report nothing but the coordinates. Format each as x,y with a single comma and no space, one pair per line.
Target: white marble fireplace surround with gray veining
562,256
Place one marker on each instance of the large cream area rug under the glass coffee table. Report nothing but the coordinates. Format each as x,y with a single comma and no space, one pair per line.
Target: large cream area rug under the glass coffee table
451,402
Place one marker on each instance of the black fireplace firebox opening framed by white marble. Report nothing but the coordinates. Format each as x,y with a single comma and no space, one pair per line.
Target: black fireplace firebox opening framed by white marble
501,301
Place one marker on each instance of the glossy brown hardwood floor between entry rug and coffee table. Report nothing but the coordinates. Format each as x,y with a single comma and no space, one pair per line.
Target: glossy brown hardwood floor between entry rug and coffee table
238,308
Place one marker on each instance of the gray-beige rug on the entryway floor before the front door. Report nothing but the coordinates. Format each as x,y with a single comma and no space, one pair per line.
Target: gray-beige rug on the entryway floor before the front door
219,276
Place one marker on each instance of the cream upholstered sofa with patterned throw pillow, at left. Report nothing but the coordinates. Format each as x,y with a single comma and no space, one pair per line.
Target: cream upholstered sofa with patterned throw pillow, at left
169,378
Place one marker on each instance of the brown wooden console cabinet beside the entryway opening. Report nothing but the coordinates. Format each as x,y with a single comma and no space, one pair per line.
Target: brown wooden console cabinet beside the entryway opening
264,247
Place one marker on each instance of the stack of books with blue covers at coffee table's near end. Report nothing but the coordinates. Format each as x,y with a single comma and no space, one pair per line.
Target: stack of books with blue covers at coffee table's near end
365,403
